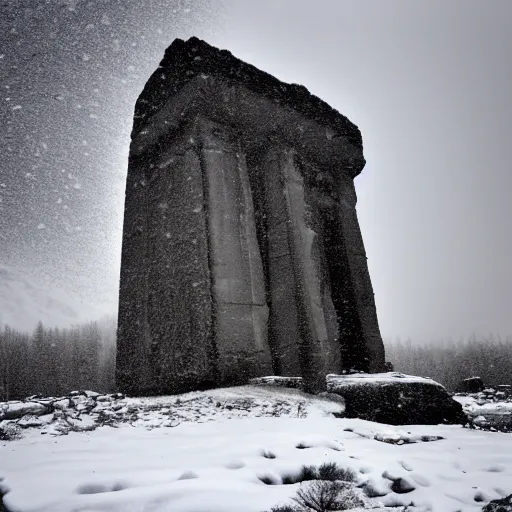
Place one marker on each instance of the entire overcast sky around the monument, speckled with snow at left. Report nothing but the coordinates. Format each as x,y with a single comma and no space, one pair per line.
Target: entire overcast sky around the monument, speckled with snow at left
427,82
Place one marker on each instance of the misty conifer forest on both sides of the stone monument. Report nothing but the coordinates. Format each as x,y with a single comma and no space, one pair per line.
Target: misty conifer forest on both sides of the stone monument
53,362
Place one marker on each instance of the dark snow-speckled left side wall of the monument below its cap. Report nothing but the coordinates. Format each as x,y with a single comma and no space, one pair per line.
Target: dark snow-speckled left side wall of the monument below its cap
166,326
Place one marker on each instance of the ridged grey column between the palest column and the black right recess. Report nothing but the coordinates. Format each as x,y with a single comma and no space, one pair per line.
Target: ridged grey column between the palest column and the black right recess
299,332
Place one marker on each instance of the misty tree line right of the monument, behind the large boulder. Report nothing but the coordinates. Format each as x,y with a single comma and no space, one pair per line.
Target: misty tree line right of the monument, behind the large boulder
448,363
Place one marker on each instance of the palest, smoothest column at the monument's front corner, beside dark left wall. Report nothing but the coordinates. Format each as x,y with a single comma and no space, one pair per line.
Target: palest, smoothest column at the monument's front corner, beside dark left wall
238,291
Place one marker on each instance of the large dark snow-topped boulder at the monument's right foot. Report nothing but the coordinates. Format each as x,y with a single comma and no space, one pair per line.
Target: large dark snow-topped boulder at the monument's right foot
396,399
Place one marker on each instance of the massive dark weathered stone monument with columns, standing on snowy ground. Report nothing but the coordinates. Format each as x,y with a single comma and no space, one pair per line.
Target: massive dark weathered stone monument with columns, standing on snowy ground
242,254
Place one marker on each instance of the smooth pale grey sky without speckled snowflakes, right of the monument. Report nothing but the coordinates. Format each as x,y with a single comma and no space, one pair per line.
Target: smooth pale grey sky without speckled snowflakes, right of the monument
429,84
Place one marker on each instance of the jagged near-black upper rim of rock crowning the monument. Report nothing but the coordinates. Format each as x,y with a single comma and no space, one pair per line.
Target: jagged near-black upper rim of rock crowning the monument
184,60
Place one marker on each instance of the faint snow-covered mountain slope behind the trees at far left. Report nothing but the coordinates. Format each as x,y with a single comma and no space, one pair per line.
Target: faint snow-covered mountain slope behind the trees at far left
24,302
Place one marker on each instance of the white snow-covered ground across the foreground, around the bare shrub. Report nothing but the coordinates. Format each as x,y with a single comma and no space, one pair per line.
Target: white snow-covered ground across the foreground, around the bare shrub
215,458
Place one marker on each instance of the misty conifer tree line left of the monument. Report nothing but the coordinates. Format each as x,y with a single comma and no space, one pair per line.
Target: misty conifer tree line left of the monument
53,362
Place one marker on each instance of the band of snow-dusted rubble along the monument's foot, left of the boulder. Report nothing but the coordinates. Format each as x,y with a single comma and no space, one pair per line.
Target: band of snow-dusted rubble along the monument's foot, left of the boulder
87,410
